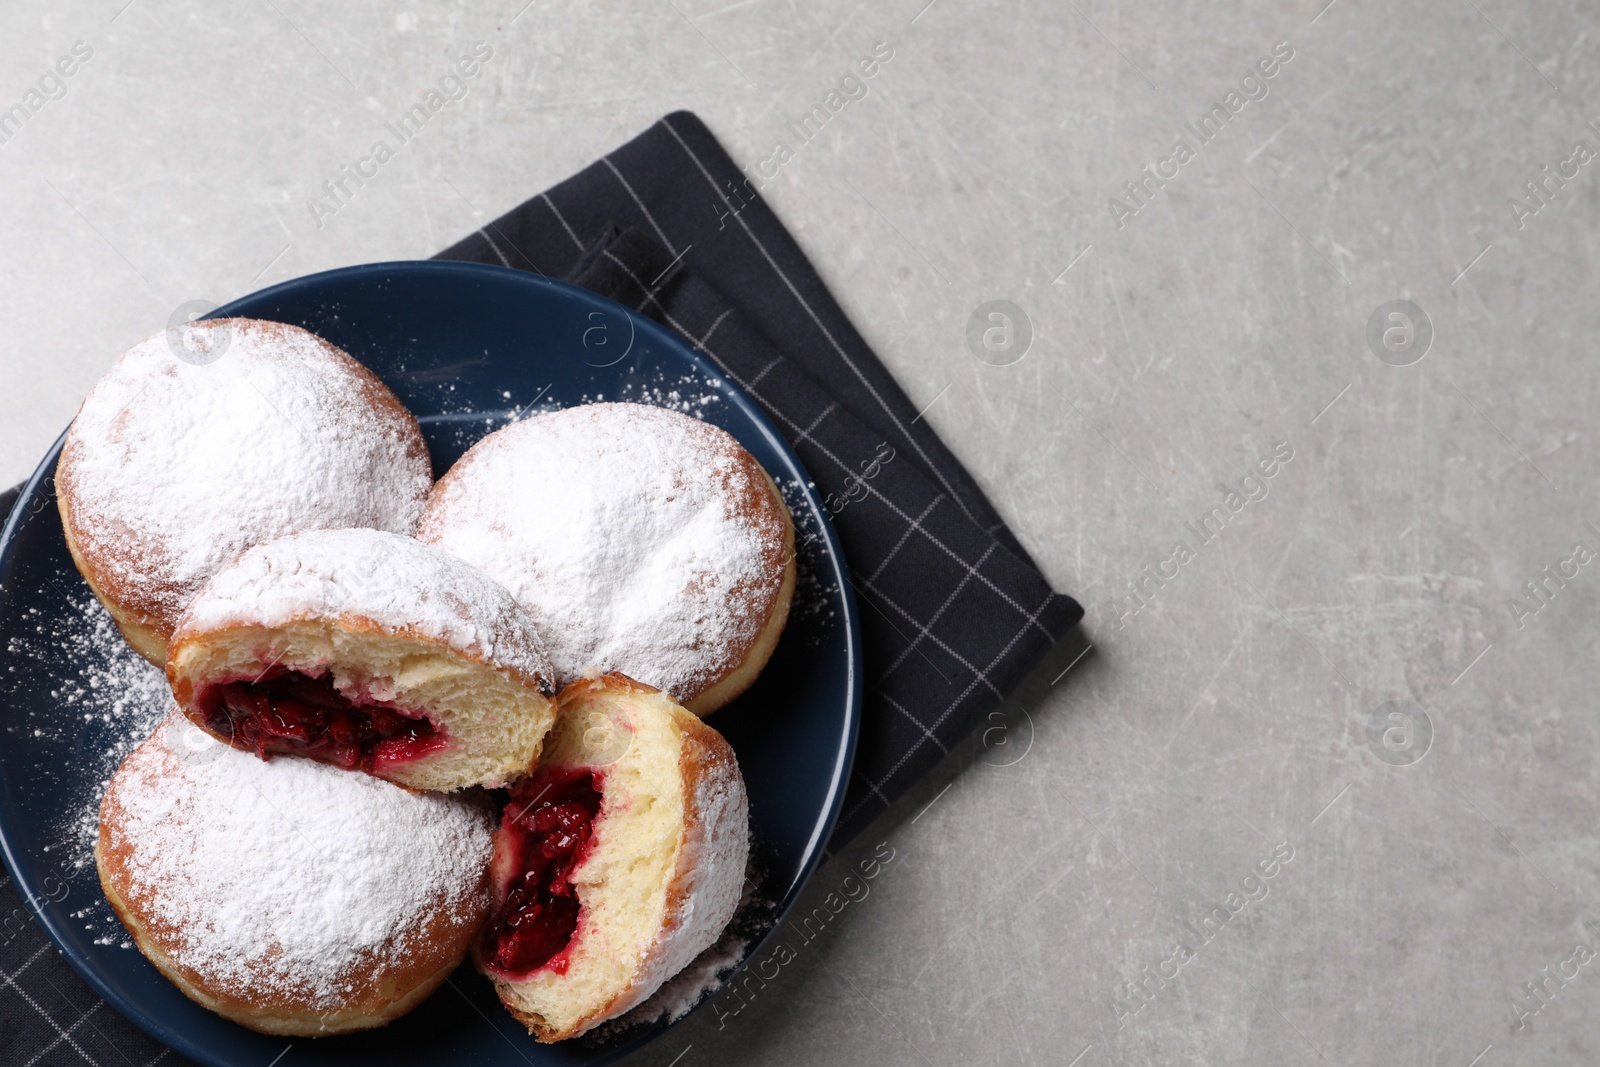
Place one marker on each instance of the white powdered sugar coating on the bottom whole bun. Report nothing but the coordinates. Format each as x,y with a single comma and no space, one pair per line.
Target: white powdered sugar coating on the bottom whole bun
289,877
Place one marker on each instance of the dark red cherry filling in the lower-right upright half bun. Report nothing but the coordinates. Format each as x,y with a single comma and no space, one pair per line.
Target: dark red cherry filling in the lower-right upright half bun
546,834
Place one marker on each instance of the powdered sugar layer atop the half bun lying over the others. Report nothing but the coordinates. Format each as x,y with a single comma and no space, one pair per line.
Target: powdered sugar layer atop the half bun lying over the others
396,583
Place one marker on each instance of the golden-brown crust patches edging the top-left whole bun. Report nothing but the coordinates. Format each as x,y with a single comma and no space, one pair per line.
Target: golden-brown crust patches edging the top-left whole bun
146,612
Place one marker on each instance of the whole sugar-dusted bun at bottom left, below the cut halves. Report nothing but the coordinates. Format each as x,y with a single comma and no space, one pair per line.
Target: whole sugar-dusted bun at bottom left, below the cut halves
290,897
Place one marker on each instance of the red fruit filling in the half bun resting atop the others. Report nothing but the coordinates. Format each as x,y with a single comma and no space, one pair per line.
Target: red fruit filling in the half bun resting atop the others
290,713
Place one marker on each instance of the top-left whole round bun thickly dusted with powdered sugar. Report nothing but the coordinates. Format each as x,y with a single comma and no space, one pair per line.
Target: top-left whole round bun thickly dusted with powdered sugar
209,439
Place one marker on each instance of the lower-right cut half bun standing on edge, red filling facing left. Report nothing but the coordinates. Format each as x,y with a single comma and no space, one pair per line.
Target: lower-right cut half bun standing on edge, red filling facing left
618,863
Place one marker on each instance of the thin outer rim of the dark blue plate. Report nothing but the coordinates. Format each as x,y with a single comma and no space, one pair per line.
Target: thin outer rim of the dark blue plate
844,764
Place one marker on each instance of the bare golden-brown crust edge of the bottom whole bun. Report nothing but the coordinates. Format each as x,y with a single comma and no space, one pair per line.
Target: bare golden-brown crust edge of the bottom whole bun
380,989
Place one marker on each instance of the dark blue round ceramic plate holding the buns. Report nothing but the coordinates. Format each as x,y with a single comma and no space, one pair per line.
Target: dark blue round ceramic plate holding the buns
468,350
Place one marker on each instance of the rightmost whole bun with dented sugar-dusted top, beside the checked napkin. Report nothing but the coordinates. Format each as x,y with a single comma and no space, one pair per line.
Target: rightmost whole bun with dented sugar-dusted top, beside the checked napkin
644,541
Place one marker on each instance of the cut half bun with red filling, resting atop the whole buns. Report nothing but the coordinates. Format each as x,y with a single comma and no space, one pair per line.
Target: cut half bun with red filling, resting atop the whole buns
372,652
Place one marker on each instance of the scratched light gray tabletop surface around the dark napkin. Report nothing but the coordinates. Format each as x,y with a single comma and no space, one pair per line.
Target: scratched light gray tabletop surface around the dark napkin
1049,885
